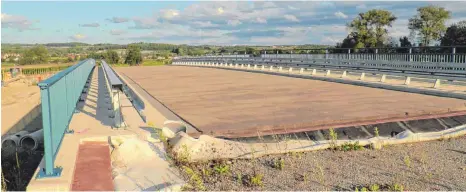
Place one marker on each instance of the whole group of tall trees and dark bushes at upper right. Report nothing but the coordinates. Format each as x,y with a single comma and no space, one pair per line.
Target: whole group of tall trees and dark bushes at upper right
370,30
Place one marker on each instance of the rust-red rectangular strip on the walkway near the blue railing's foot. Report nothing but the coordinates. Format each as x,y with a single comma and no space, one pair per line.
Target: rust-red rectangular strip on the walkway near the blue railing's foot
93,171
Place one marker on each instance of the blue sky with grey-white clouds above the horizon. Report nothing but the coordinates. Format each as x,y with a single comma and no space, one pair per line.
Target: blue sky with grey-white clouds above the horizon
194,22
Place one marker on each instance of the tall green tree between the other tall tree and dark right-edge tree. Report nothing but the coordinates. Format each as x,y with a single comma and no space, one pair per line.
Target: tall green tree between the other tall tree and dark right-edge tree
429,23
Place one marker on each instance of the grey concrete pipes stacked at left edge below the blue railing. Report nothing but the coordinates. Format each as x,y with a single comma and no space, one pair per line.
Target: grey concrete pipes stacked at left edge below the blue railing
25,140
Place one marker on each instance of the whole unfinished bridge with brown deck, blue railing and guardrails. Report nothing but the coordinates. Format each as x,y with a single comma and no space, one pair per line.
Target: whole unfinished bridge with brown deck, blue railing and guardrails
89,109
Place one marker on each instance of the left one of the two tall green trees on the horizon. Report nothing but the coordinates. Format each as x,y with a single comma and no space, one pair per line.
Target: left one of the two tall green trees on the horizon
371,27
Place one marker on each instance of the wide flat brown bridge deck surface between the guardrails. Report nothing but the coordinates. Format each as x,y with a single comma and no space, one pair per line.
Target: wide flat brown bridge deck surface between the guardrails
241,104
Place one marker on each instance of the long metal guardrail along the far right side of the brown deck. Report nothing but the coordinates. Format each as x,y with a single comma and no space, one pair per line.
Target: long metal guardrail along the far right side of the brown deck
448,71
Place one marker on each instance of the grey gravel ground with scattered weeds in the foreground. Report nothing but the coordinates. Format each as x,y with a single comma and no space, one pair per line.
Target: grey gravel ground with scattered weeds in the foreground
427,166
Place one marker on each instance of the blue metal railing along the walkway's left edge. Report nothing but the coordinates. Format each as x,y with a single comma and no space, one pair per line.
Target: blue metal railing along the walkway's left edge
59,96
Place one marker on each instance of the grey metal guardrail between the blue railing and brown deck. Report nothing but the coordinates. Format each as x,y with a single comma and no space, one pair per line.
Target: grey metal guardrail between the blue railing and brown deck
114,86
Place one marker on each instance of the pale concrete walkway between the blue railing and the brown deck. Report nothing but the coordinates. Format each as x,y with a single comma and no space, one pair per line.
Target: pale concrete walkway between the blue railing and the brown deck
93,124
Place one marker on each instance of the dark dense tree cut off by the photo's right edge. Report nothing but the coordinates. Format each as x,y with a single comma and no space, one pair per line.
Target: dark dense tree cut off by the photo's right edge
455,35
